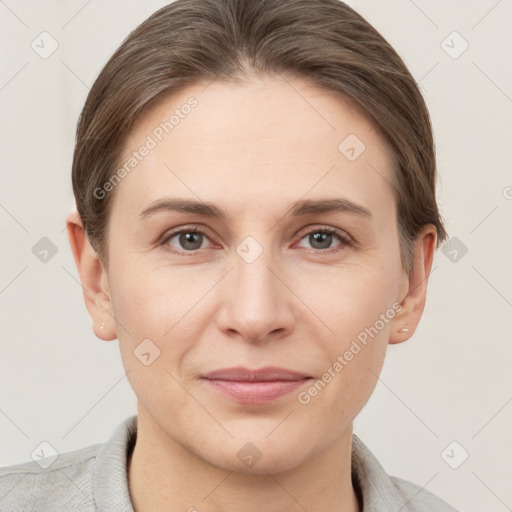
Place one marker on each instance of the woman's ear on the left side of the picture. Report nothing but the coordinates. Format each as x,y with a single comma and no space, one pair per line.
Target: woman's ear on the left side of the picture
94,279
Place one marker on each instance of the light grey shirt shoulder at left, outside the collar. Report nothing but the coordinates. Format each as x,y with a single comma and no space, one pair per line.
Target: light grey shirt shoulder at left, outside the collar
61,484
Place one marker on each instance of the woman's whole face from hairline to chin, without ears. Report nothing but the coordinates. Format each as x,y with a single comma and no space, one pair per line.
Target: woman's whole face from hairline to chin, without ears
282,252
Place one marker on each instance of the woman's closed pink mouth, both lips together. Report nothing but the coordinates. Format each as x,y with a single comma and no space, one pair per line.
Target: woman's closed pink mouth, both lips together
255,386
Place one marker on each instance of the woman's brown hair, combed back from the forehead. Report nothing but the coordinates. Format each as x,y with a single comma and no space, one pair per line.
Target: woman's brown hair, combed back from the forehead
323,41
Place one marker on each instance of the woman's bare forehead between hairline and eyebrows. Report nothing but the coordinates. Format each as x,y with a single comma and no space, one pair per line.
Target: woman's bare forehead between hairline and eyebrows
261,139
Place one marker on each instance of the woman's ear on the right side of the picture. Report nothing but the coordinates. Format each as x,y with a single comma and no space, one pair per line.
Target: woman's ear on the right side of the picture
414,302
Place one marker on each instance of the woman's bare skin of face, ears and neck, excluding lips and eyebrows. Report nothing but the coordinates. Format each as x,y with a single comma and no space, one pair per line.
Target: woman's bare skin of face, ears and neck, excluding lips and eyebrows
253,149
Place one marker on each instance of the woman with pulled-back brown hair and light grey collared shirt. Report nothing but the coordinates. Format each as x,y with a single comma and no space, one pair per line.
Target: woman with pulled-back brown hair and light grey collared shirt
256,220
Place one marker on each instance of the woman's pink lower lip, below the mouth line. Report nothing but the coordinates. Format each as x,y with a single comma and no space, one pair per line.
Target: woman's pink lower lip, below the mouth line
256,392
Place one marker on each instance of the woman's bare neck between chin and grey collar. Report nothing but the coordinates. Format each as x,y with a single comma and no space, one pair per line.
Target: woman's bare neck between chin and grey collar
164,476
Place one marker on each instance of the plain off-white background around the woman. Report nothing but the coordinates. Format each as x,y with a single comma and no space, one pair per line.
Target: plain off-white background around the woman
450,382
